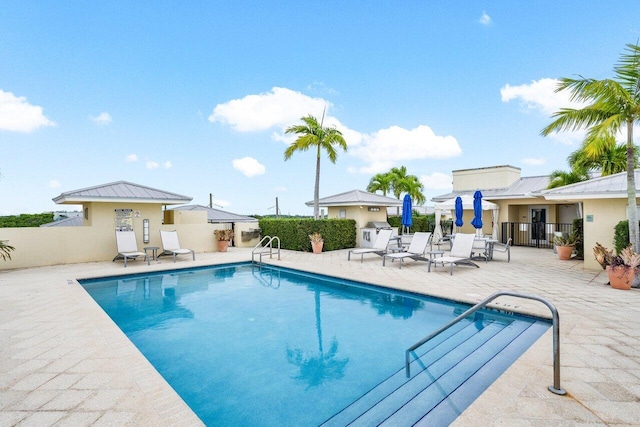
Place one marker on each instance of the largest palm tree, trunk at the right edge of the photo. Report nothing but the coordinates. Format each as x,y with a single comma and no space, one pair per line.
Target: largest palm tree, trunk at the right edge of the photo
612,104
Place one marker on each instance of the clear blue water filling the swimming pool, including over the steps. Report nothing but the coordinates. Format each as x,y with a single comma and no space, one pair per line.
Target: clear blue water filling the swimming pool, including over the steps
244,345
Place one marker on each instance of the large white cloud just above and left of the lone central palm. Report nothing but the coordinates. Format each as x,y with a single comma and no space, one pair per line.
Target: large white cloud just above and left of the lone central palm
280,107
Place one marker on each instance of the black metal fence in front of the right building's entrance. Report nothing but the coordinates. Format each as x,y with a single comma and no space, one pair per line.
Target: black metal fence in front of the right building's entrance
533,234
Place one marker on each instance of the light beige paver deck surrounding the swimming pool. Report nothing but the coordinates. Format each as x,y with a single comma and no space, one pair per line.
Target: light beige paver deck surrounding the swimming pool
64,362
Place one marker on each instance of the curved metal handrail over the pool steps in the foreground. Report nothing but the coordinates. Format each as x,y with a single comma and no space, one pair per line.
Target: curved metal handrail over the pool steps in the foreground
555,388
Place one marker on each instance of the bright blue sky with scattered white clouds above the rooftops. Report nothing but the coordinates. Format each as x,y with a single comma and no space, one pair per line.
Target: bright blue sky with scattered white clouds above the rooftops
193,97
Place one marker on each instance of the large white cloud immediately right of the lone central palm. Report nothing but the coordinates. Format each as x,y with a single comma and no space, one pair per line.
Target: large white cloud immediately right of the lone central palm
386,147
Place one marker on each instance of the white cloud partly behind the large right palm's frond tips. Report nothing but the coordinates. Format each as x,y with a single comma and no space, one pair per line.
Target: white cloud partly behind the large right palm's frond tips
541,96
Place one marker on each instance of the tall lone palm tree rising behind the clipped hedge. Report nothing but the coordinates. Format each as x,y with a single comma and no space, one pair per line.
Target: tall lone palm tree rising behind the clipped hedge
313,134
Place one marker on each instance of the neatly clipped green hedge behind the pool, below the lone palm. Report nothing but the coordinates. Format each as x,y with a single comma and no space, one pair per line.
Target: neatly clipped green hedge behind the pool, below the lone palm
294,232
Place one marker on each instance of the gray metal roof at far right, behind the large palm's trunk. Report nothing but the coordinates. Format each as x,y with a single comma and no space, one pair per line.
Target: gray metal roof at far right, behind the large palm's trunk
604,187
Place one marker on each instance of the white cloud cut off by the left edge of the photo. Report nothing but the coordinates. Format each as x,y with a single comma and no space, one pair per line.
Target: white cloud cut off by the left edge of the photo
17,115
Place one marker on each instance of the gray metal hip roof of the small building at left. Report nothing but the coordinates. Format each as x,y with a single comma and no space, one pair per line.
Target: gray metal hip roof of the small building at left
121,191
